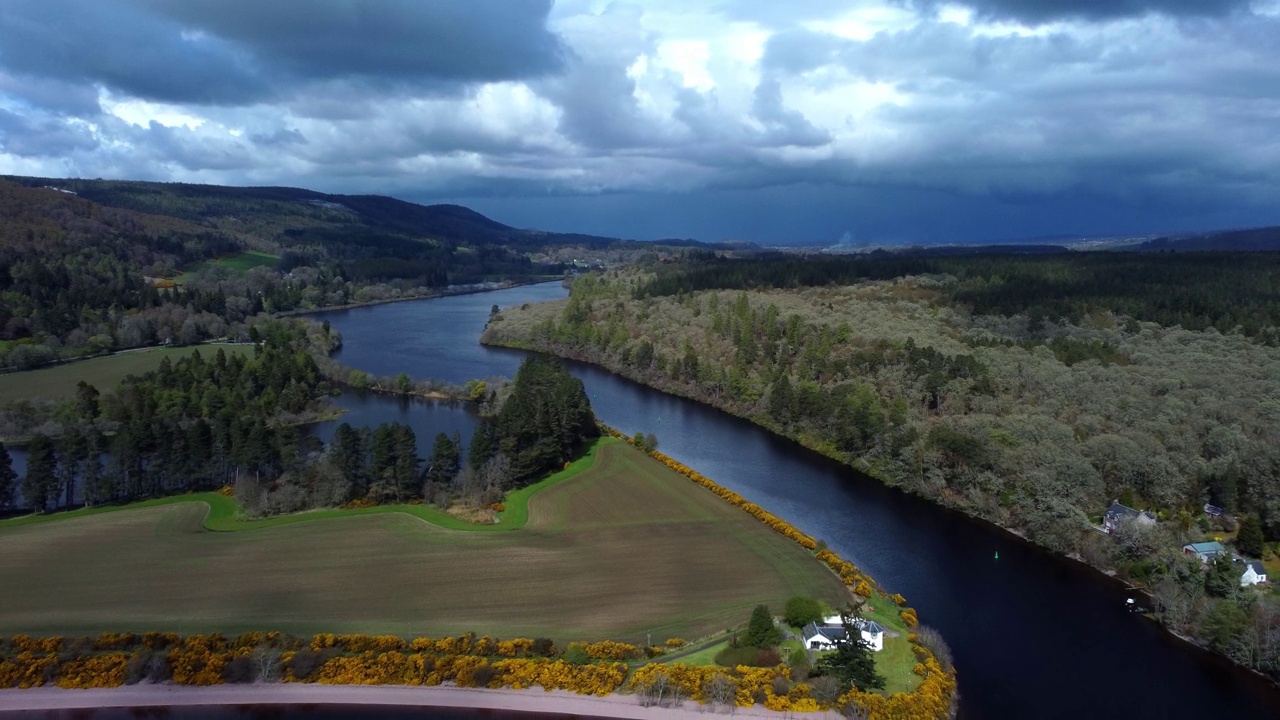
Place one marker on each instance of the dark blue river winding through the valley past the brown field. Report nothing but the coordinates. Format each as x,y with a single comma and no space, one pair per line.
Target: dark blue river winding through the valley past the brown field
1034,636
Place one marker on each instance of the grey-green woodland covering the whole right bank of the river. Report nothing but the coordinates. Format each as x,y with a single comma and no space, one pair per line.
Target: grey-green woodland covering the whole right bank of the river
963,391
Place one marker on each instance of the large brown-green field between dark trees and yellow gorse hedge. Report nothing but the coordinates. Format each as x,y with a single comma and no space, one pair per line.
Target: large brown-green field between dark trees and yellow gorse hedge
620,550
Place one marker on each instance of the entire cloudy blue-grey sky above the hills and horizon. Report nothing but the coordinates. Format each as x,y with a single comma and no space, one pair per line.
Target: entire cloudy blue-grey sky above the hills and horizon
876,121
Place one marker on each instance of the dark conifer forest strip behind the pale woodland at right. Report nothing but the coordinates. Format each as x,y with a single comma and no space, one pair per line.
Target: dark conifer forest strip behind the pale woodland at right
1231,293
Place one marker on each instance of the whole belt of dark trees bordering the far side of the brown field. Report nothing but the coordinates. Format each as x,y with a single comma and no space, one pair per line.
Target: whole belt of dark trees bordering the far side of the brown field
236,423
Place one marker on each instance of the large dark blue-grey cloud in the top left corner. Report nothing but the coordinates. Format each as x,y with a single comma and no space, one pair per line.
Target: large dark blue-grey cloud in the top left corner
244,52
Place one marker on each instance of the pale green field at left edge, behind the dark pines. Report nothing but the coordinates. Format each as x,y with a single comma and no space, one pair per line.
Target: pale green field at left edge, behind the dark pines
104,373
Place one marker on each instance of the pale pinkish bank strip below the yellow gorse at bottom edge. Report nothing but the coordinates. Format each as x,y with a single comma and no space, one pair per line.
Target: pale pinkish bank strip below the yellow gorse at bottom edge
559,703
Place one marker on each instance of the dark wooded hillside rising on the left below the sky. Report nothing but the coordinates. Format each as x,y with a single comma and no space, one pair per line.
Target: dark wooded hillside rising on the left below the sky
90,266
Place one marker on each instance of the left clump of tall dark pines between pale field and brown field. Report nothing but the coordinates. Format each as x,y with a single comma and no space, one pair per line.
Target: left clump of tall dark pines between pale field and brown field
194,425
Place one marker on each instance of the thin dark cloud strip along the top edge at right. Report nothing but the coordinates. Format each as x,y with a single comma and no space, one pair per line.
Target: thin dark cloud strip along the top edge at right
1036,12
